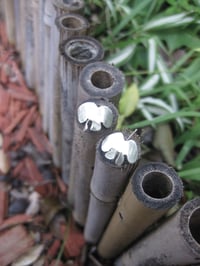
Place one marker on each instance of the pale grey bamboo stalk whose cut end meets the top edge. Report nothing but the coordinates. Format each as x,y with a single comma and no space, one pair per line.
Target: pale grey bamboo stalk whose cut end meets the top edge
53,9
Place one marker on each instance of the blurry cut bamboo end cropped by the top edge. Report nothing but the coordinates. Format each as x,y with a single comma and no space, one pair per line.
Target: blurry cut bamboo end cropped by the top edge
69,5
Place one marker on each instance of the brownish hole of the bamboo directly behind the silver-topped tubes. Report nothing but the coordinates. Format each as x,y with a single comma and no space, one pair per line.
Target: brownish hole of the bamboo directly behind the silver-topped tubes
102,79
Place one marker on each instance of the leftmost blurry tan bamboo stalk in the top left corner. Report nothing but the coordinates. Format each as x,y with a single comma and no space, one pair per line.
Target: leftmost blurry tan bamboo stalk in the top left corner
10,20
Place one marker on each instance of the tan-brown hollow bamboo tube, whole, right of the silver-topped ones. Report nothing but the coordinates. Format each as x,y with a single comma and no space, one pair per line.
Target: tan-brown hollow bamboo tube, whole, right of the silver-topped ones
154,188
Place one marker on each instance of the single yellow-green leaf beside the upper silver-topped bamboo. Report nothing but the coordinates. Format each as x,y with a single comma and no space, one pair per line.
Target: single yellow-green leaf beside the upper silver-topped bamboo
129,101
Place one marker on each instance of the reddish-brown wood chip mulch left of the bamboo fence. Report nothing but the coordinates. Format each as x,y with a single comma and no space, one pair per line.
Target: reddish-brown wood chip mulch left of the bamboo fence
28,177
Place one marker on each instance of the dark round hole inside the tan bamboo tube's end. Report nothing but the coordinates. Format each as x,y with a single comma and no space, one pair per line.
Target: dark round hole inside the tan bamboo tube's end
157,185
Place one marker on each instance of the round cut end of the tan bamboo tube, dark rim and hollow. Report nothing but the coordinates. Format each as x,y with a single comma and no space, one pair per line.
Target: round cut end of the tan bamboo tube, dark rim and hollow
157,186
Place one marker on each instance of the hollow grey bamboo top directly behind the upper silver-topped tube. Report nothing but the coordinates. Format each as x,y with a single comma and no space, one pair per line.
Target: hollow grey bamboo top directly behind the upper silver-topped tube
100,79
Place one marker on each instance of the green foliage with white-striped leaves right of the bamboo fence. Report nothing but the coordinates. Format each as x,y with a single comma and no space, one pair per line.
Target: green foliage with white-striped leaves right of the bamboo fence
155,44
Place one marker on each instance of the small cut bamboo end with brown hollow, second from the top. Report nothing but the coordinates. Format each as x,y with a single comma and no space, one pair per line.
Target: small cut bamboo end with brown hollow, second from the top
72,23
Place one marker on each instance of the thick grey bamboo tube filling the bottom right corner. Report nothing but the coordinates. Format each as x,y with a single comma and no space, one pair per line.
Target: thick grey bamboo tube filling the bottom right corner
175,242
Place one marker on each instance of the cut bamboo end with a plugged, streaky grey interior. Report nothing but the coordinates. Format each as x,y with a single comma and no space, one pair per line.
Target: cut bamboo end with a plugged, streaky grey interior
82,50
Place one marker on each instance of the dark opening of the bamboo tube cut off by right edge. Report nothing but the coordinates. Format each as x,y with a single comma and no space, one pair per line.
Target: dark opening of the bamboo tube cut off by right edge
194,225
